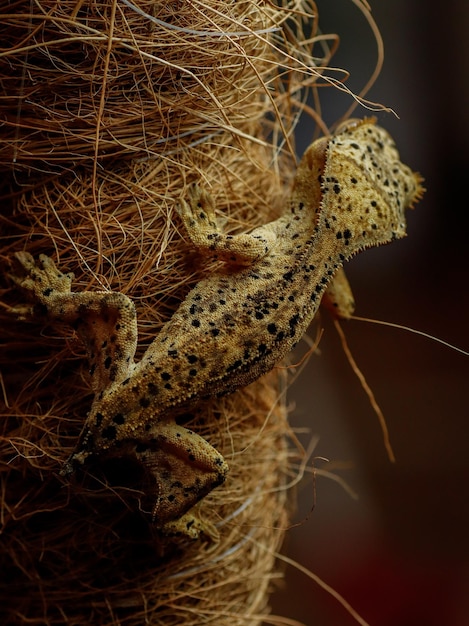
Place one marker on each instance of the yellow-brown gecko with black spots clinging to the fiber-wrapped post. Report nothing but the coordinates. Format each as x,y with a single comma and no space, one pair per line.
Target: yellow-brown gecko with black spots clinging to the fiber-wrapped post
350,192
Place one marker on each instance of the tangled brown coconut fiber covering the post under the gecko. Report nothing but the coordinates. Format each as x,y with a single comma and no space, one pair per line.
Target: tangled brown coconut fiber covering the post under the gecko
109,110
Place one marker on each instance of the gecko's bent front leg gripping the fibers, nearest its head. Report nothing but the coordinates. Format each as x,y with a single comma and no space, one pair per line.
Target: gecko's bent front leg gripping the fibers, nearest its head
198,217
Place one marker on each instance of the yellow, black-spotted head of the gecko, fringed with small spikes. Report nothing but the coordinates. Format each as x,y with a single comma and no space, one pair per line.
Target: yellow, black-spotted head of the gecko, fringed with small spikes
366,189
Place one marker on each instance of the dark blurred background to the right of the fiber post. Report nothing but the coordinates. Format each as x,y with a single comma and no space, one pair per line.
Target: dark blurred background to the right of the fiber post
400,552
